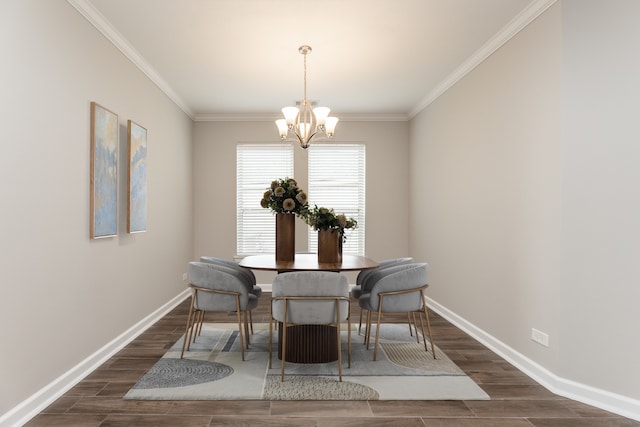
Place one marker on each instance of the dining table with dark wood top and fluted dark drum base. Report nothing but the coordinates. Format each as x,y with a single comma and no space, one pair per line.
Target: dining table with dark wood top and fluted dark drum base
308,343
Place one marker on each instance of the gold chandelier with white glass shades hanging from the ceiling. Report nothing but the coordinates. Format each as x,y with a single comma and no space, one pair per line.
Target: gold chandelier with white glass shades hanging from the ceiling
305,123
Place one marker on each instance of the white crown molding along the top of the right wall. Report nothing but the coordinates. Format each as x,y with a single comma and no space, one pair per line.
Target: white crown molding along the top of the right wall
523,19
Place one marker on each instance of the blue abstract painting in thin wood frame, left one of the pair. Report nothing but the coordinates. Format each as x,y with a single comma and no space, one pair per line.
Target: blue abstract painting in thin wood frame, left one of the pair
104,172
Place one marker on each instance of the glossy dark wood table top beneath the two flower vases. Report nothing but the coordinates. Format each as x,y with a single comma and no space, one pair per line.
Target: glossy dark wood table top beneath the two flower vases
307,262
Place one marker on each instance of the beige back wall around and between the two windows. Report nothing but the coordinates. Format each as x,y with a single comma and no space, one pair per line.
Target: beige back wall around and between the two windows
387,184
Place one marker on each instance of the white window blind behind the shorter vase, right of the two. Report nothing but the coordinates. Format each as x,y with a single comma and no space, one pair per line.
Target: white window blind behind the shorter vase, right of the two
337,180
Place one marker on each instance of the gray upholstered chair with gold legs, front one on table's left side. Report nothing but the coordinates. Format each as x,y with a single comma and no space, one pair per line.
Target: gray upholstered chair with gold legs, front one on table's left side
215,289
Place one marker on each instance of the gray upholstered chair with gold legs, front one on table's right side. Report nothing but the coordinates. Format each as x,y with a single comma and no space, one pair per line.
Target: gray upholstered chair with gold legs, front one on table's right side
398,289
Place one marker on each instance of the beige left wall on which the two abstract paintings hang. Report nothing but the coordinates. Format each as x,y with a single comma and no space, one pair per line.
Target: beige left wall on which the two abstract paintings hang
65,296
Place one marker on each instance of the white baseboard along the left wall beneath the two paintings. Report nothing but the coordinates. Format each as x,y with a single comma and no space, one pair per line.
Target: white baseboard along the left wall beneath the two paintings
32,406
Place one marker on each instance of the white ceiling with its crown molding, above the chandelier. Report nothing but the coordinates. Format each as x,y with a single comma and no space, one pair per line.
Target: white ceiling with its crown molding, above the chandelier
223,58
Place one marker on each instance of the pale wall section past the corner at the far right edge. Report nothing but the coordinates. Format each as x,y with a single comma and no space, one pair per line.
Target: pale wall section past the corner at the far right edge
601,196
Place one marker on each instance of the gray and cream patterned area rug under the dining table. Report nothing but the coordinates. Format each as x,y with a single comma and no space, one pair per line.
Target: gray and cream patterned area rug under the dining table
213,370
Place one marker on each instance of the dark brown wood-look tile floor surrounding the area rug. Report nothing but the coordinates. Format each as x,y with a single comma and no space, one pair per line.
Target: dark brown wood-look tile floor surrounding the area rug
516,400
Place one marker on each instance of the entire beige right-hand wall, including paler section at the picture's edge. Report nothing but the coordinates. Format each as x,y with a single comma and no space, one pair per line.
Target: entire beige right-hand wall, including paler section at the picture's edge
524,194
